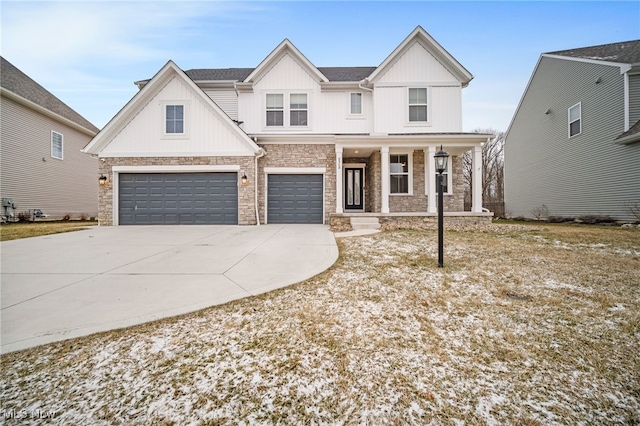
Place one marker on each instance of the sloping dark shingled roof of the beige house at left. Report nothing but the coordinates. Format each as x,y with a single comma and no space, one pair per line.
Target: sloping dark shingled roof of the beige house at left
17,82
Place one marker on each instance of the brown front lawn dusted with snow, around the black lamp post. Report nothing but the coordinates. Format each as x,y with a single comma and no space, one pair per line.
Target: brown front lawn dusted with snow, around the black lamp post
535,324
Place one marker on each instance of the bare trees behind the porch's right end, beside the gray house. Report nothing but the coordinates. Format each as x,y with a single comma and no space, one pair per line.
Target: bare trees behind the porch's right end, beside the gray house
492,169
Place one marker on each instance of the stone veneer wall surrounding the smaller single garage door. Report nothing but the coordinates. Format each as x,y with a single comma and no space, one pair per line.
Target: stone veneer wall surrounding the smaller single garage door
300,155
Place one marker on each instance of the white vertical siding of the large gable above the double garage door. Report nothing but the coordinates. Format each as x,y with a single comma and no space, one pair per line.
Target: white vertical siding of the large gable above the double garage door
206,133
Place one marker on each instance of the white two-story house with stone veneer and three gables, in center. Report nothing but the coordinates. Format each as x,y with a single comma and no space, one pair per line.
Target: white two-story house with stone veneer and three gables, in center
289,142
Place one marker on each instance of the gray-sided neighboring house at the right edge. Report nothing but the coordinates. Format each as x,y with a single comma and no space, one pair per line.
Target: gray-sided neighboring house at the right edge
574,143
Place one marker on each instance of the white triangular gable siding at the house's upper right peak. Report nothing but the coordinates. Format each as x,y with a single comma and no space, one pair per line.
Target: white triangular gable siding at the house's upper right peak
417,64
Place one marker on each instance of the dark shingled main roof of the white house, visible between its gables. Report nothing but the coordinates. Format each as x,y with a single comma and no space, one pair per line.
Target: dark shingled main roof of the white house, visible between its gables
239,74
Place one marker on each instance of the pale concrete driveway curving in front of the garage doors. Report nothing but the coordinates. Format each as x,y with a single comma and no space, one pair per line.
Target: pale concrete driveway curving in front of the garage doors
68,285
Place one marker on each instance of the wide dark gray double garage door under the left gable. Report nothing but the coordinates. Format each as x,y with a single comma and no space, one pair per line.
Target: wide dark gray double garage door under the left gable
178,198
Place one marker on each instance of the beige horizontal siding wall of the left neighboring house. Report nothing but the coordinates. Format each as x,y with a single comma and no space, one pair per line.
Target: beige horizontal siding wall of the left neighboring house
31,177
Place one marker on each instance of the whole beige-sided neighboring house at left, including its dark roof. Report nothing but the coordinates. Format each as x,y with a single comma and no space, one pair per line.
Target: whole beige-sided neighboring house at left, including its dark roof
41,138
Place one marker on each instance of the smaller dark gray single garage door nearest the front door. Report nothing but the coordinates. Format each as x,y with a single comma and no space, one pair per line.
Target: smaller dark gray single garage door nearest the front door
294,199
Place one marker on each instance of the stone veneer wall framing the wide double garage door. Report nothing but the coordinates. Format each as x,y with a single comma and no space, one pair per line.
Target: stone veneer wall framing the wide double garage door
246,205
